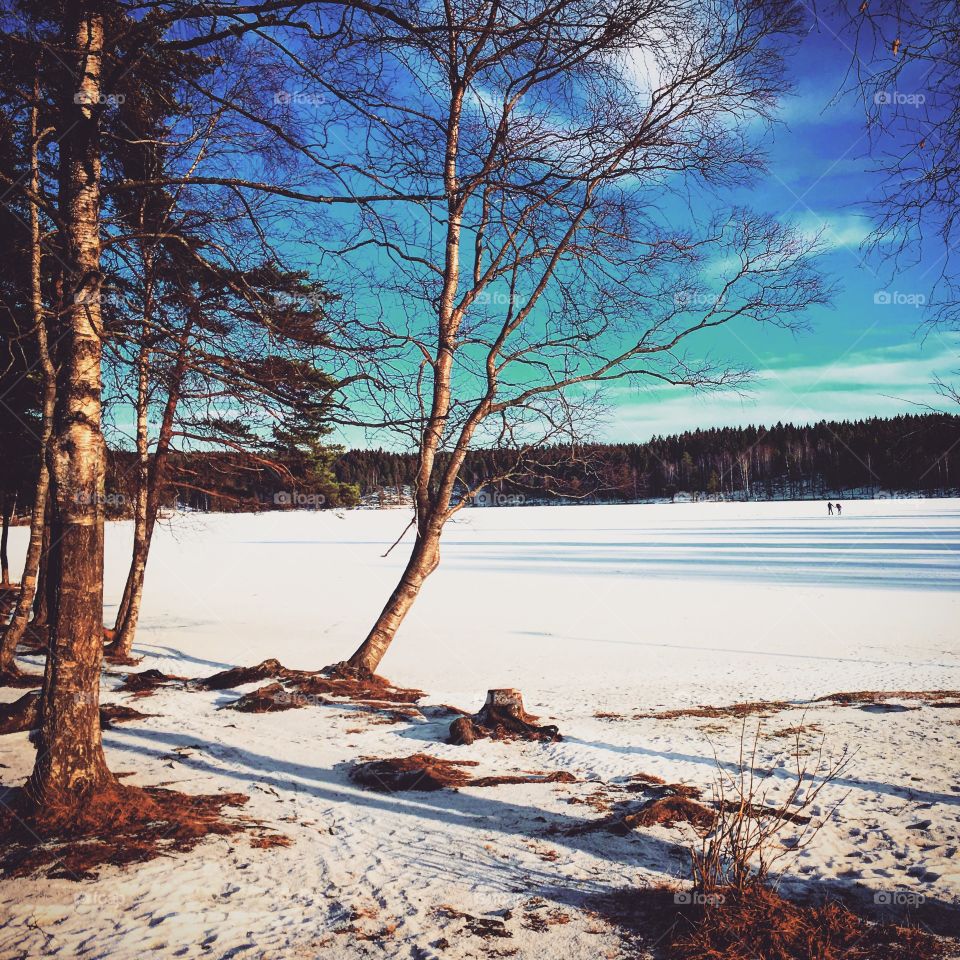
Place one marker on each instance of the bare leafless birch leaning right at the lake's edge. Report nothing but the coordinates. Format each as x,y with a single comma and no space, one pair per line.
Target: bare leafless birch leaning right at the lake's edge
566,235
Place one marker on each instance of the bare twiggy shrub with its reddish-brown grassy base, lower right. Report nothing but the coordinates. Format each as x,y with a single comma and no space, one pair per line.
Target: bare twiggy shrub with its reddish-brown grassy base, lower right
735,911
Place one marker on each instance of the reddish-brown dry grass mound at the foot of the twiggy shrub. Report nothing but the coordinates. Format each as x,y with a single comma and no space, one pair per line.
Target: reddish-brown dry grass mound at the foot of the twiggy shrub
760,923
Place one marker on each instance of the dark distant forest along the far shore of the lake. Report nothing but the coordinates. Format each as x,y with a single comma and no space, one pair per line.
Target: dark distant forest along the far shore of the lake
905,454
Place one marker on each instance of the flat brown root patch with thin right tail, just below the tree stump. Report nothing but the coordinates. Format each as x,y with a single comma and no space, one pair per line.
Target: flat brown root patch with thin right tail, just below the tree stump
423,772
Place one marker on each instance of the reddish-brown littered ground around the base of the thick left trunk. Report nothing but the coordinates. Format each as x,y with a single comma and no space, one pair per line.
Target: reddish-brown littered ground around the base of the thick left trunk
116,825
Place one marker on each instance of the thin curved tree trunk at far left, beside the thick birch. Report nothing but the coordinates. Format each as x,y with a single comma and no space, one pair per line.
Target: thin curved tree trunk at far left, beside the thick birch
28,582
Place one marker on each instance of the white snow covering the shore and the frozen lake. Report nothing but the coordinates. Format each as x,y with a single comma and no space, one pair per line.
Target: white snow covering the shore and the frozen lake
615,610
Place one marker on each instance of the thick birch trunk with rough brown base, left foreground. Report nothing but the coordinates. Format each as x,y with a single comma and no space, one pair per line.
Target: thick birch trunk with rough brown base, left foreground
70,764
